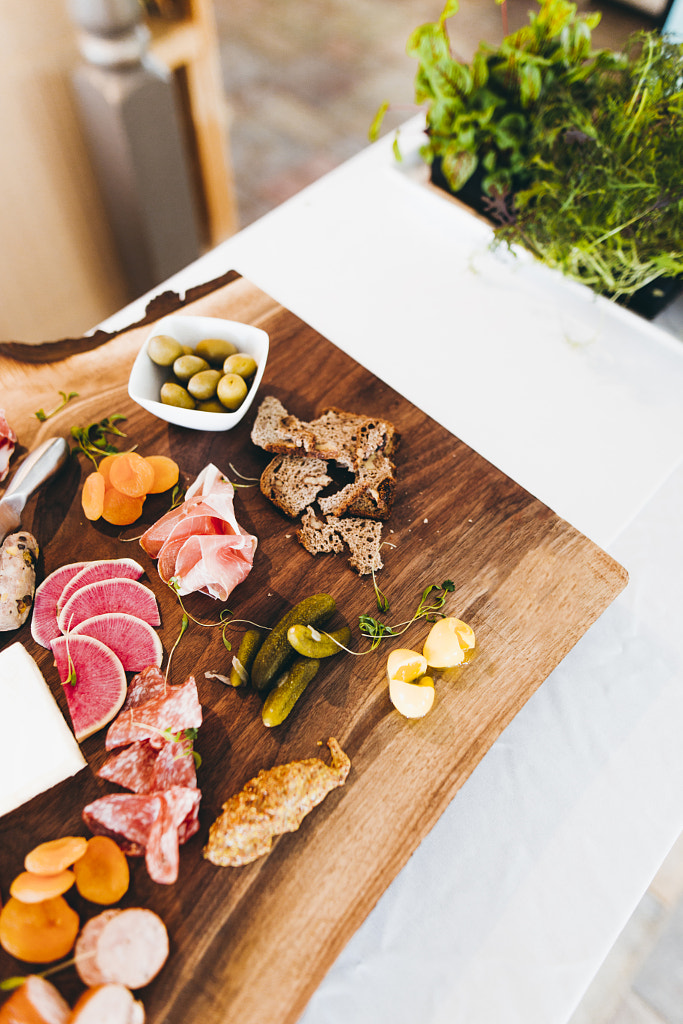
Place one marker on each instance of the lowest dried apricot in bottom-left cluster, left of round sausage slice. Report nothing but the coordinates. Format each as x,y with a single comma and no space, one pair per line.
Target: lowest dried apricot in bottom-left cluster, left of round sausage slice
38,933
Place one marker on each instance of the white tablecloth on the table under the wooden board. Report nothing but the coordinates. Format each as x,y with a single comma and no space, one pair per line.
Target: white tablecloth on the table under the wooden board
507,910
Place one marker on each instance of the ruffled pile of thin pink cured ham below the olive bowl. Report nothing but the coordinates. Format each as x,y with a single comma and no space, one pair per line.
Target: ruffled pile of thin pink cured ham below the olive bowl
201,545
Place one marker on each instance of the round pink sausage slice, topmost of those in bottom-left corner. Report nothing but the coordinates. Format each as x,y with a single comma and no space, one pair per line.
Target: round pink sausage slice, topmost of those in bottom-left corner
129,948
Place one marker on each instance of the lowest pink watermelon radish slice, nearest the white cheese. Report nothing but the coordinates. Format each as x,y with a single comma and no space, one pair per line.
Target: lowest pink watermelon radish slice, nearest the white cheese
100,687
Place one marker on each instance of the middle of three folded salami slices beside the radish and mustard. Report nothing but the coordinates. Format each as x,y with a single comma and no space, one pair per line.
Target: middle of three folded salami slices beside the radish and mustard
144,769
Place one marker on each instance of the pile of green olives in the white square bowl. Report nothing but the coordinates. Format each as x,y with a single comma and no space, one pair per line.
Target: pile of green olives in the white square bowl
214,377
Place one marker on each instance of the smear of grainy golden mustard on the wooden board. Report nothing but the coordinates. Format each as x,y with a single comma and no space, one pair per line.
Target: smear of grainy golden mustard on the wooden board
276,802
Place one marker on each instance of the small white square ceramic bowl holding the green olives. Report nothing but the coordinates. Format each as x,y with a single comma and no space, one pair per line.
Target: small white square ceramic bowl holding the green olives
147,378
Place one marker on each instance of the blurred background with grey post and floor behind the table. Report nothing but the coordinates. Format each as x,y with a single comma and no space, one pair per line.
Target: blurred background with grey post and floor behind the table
270,96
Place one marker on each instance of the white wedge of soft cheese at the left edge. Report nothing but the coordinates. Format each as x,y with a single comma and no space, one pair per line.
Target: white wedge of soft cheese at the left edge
38,748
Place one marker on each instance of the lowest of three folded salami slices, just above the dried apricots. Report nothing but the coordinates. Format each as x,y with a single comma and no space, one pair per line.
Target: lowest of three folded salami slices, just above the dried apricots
153,824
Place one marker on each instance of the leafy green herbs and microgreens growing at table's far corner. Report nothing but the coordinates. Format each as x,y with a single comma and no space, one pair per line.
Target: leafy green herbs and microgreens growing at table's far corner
575,153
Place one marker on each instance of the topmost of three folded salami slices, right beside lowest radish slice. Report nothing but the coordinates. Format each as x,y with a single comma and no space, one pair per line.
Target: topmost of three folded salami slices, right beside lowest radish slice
179,709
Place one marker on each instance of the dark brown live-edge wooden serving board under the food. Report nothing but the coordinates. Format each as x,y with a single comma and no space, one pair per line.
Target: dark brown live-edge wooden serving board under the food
251,945
